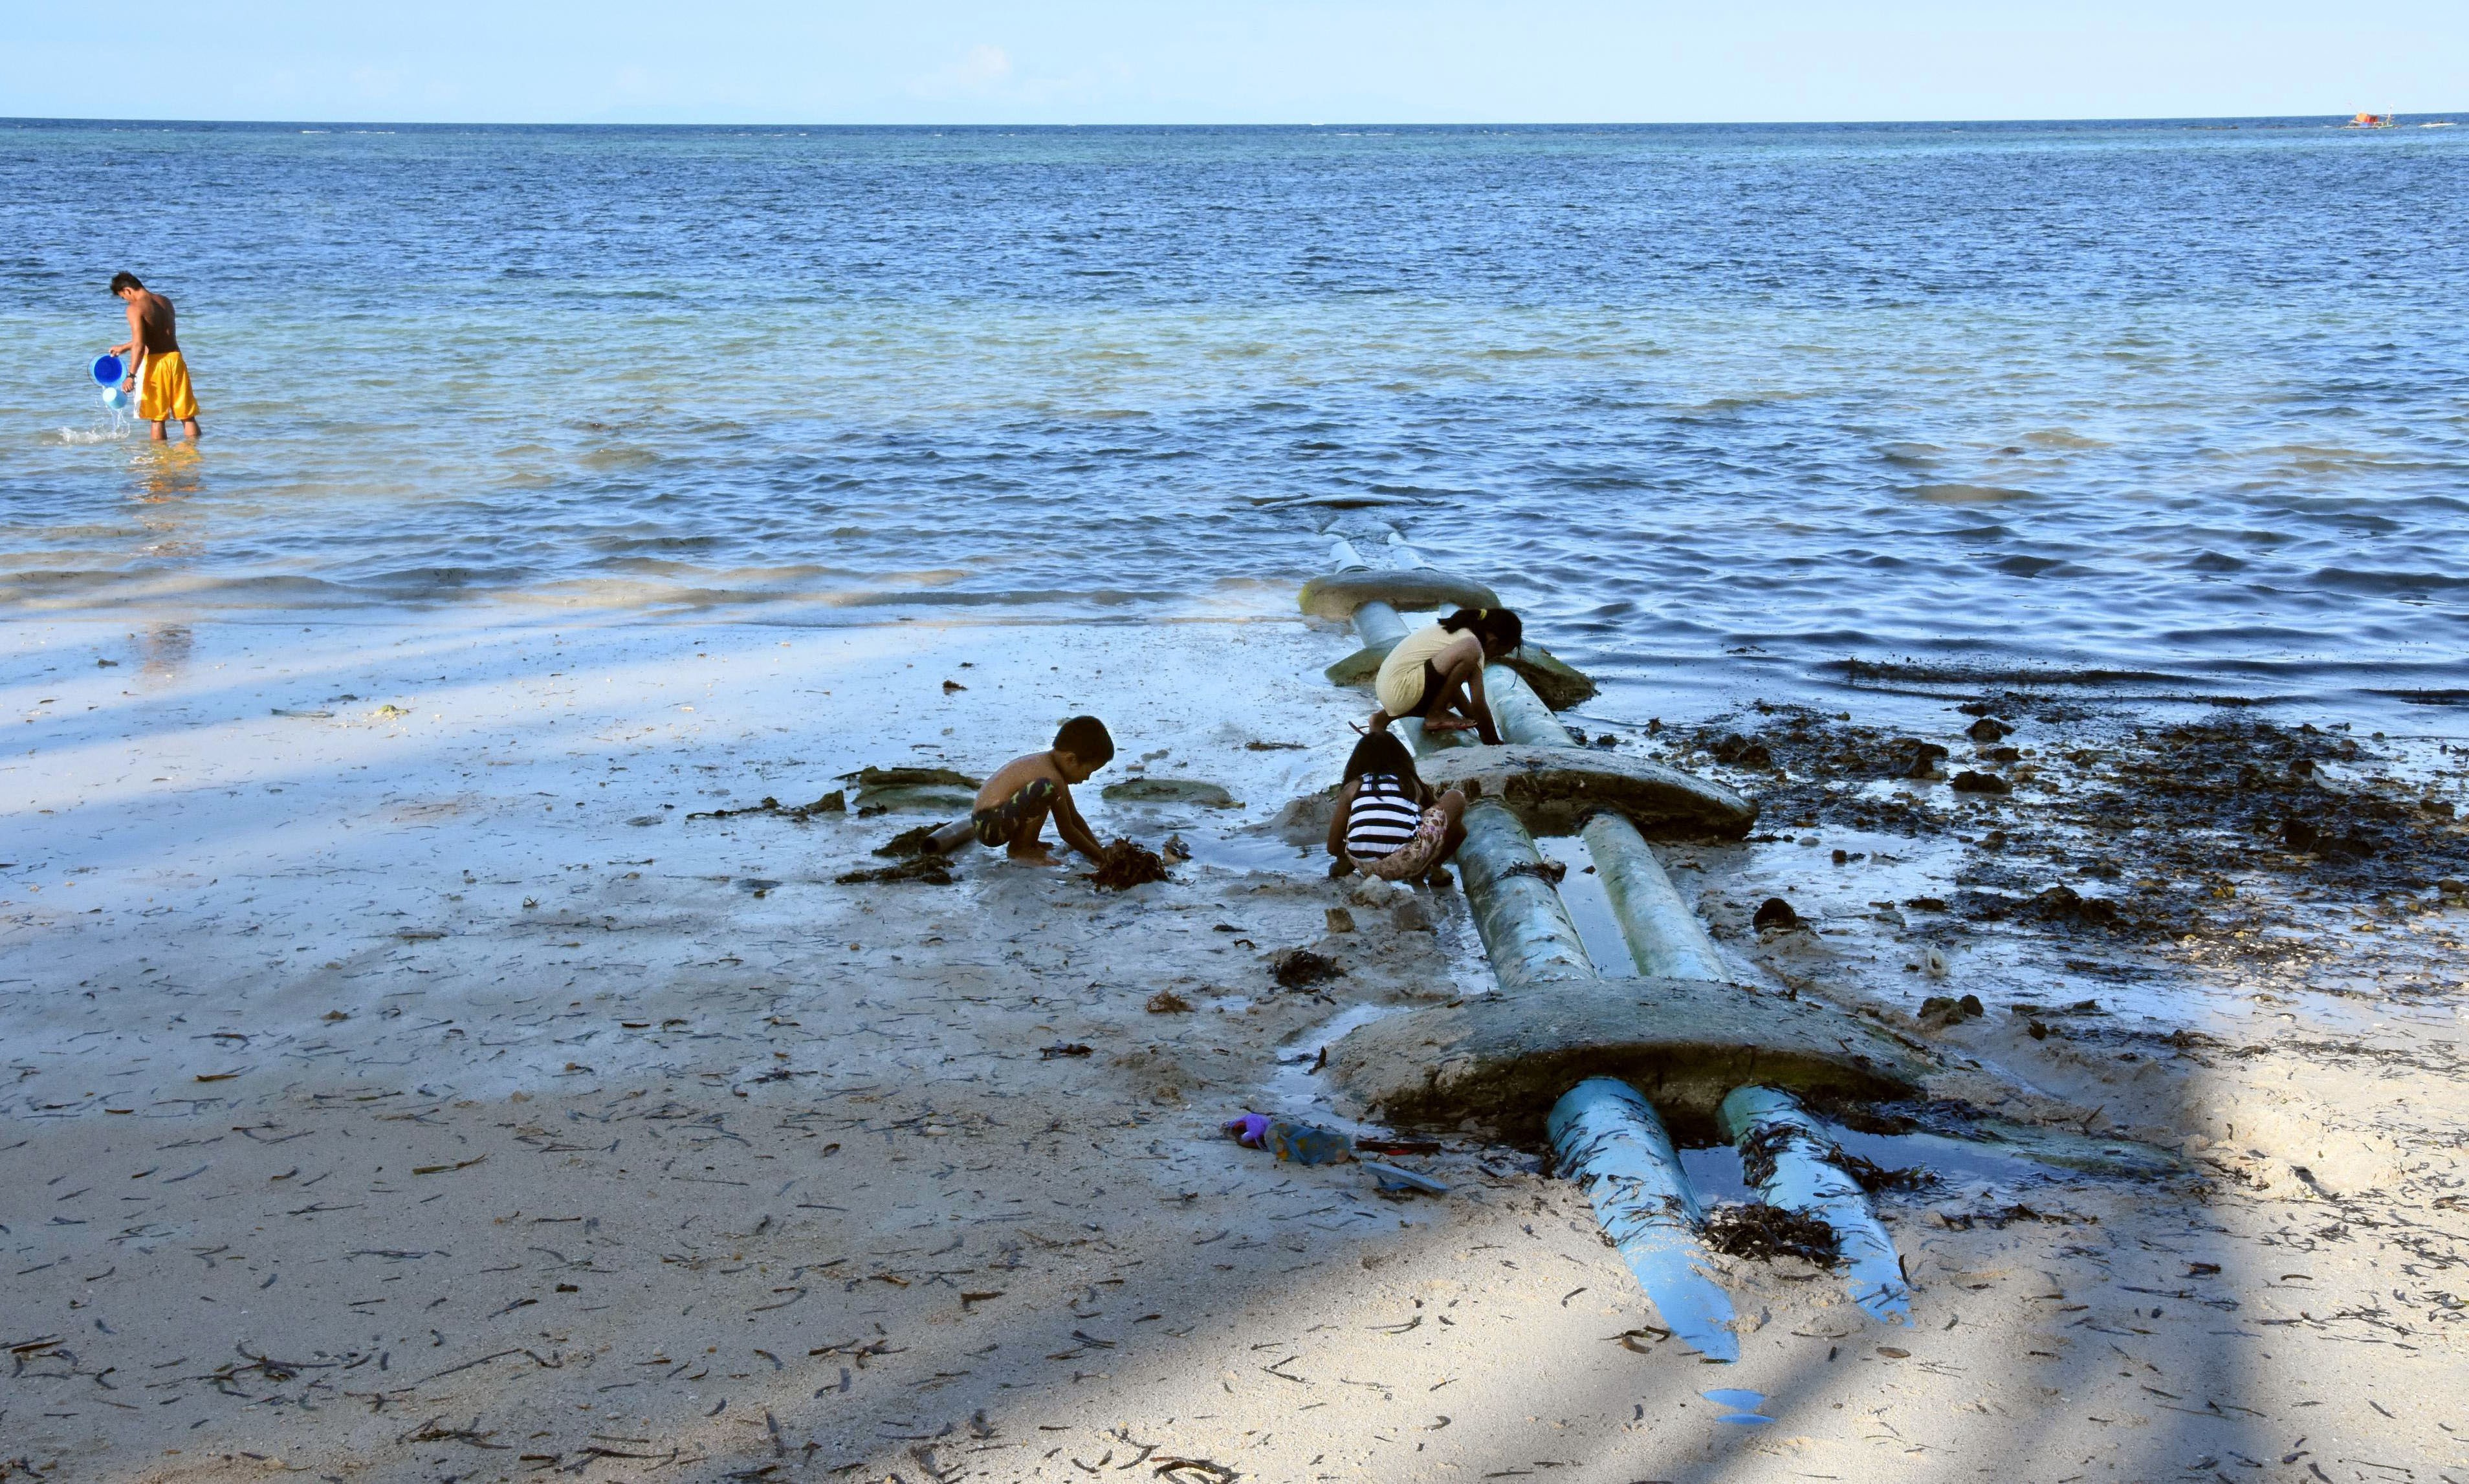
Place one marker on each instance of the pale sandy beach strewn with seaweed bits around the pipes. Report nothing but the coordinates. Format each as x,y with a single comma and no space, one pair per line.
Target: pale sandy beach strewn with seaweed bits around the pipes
386,1103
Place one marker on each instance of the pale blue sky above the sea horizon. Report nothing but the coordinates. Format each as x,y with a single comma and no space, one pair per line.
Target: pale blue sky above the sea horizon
1228,60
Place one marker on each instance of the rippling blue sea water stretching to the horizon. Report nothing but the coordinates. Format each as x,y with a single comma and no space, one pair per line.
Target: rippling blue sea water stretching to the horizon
2169,401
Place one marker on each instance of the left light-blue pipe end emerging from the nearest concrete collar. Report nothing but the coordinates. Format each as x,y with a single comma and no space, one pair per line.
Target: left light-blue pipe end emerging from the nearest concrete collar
1616,1149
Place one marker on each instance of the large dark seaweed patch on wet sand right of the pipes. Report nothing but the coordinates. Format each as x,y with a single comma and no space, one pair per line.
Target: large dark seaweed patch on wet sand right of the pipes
2110,826
